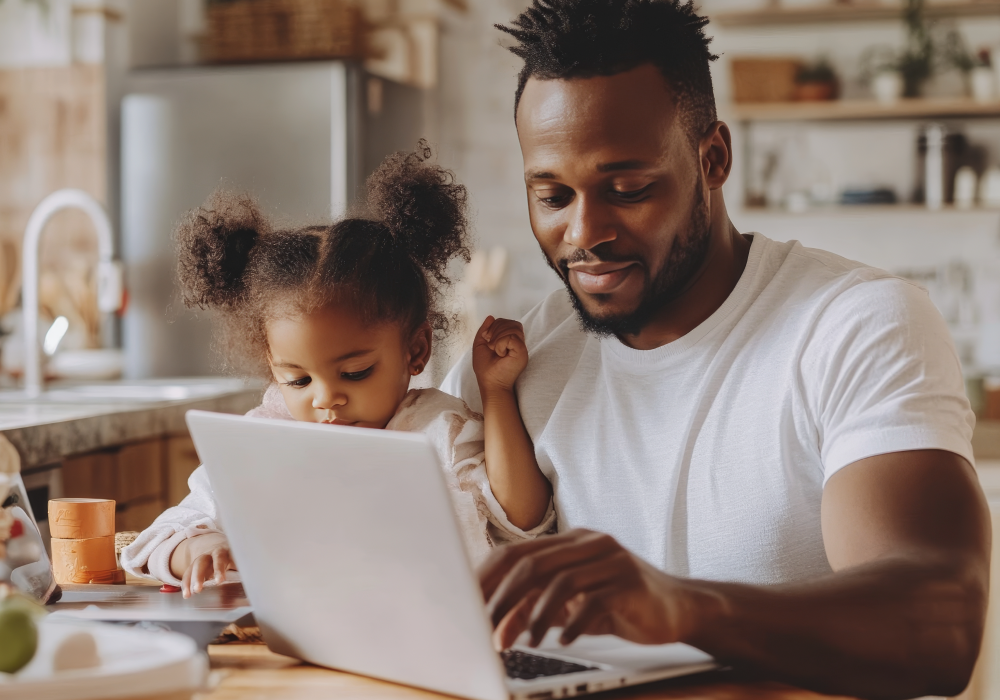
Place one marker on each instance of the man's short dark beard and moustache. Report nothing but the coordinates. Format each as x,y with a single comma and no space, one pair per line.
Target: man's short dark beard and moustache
686,256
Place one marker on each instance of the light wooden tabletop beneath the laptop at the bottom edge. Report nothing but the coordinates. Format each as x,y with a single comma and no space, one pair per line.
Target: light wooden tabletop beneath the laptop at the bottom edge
252,672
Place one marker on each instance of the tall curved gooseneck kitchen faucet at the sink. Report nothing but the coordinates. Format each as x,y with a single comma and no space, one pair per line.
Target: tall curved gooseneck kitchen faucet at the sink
109,273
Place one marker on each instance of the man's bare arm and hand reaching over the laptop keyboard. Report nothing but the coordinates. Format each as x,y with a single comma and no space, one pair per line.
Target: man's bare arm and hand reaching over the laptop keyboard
907,535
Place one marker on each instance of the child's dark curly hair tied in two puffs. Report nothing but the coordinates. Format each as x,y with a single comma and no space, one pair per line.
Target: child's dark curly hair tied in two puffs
390,266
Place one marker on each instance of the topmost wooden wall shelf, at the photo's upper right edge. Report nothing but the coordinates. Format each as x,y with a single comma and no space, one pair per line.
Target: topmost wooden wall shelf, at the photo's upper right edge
846,12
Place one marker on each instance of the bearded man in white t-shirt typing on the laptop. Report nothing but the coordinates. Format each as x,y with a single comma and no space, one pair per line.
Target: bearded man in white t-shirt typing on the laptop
768,446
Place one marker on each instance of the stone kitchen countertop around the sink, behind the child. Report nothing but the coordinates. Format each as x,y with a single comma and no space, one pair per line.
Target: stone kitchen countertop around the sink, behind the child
71,419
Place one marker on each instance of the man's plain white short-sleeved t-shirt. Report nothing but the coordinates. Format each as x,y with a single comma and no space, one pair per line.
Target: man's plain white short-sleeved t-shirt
708,456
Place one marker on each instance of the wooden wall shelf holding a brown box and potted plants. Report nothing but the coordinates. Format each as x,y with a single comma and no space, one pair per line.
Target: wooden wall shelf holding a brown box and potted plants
842,110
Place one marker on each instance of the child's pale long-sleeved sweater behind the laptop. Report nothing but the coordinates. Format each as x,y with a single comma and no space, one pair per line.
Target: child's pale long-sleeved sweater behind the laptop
456,433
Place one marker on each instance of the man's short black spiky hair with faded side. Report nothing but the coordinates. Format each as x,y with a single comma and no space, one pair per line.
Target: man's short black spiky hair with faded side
560,39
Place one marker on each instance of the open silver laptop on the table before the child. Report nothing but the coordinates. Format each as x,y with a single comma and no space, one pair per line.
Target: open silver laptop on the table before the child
350,553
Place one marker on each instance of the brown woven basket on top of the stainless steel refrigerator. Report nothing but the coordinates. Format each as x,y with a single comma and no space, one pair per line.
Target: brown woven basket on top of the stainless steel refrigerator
282,30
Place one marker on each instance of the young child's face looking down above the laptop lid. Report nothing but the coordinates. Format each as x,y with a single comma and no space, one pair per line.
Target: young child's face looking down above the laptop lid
332,368
